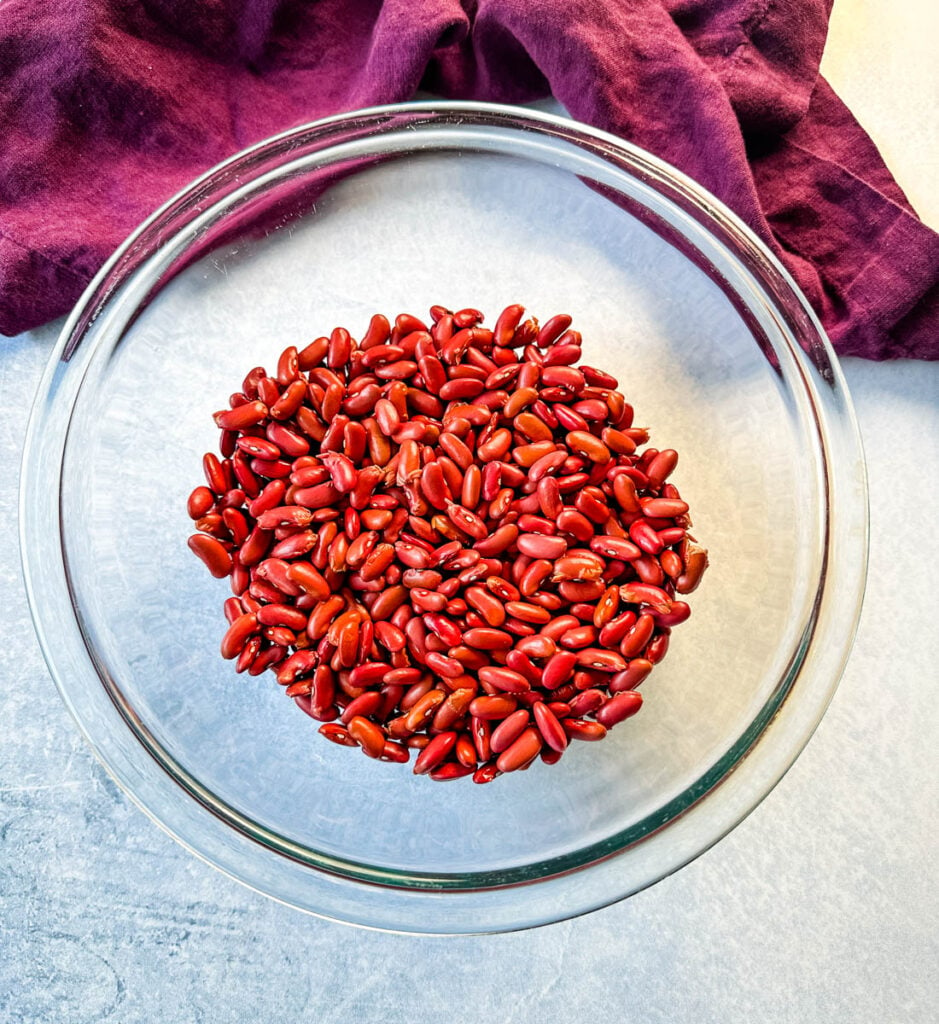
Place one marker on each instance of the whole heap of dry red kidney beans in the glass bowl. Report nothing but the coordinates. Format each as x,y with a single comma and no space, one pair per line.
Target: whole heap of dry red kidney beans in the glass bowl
448,539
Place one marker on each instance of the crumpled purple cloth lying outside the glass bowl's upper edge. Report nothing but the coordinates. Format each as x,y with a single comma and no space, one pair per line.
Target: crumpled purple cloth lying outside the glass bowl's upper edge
108,108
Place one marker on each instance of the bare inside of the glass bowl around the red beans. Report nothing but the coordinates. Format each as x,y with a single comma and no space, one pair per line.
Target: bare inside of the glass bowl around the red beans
458,227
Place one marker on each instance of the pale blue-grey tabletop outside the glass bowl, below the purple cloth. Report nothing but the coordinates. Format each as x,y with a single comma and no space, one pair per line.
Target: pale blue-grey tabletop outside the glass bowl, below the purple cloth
821,908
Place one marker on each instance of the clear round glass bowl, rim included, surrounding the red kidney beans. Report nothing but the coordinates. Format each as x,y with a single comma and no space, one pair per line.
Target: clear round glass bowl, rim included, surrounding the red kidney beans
395,209
